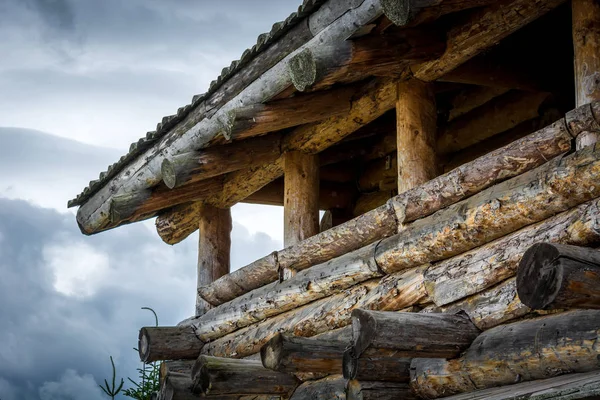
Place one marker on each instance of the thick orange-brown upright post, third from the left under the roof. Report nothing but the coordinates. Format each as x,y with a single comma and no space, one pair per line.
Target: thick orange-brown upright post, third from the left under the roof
416,121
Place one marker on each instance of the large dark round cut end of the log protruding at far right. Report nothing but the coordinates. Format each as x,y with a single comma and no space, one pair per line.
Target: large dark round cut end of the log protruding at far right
539,276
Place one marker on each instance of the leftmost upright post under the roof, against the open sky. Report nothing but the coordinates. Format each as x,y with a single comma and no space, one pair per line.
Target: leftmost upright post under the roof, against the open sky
213,248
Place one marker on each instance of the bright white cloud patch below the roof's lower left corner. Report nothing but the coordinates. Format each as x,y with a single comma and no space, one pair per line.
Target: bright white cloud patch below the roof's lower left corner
78,268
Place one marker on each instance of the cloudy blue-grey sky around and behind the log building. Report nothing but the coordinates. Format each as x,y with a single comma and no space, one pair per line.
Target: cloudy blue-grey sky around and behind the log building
79,81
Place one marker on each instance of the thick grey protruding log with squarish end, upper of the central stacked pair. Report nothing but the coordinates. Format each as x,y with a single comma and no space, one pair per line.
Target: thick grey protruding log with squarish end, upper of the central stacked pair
412,334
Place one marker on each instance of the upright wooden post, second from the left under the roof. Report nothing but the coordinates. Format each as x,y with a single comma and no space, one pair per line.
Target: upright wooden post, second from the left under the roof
301,197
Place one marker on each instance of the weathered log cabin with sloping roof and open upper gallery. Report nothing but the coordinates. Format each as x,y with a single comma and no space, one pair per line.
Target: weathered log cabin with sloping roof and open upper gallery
451,145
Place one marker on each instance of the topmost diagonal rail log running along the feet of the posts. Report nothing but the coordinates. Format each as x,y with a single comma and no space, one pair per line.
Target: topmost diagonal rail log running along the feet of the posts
465,181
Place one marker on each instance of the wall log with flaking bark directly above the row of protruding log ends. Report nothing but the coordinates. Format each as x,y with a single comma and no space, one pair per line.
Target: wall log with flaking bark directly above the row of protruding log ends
394,292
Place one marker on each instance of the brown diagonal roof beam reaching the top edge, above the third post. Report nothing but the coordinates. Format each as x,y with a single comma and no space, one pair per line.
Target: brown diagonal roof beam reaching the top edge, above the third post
483,29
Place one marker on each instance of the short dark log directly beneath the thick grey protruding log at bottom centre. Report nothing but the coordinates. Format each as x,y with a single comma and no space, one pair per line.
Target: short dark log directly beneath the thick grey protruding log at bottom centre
376,365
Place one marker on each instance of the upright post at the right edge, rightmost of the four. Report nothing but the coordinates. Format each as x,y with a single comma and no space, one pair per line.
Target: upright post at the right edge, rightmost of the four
586,45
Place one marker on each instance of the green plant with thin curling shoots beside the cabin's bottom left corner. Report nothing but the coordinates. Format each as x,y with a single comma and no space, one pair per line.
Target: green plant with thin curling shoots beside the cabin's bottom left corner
148,378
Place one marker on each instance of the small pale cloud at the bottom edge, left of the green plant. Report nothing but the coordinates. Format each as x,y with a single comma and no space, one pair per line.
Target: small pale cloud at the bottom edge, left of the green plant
71,386
